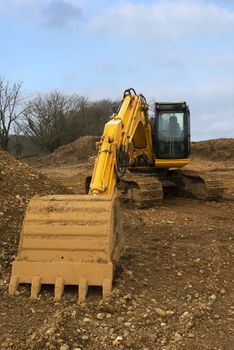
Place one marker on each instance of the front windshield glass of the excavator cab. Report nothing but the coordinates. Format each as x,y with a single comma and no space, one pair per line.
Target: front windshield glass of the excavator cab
171,135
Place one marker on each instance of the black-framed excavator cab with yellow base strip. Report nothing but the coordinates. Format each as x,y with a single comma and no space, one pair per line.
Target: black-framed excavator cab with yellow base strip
171,134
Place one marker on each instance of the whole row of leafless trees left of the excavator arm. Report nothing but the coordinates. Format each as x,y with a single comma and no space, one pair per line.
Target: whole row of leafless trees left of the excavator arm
48,120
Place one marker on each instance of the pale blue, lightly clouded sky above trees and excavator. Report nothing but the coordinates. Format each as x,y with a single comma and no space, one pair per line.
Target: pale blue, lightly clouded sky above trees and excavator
165,49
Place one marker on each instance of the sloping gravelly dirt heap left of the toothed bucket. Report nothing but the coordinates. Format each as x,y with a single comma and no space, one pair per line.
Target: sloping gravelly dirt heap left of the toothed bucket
18,184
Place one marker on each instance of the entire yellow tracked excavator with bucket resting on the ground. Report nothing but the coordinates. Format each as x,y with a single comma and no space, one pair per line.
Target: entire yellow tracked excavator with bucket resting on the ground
77,239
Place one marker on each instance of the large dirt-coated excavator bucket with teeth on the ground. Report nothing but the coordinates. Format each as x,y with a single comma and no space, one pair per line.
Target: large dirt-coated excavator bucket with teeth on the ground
68,240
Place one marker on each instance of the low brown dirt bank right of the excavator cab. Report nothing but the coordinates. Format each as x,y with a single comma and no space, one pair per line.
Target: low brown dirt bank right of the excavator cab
215,150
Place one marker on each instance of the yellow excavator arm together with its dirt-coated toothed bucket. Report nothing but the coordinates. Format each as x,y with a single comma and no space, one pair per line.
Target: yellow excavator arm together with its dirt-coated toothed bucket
77,239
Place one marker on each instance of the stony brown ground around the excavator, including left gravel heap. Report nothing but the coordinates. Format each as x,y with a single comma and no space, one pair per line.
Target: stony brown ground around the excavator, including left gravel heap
173,289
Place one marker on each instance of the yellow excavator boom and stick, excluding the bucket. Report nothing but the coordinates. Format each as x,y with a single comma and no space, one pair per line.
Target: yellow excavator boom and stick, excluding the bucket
126,136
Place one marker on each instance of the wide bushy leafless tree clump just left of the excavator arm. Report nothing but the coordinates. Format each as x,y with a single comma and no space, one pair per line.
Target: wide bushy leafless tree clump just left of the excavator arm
54,119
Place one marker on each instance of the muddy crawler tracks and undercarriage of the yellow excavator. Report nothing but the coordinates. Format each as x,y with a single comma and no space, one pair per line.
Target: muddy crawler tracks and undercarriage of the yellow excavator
144,187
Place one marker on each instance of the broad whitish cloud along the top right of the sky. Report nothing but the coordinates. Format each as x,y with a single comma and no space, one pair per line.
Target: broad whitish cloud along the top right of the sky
164,19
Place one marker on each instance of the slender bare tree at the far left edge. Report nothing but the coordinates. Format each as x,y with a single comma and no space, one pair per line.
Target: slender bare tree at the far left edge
10,108
